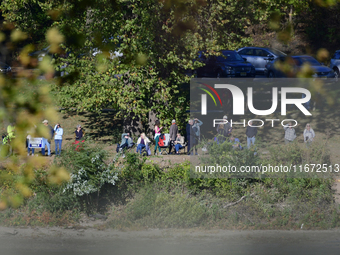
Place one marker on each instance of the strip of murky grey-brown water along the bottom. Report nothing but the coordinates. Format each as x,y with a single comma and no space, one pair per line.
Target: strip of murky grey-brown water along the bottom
29,241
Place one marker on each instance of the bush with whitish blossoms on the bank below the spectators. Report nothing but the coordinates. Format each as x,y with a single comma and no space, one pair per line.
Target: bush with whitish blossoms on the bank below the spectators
90,171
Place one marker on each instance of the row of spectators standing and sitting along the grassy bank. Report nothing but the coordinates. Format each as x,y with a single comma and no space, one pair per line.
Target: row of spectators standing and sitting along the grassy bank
177,141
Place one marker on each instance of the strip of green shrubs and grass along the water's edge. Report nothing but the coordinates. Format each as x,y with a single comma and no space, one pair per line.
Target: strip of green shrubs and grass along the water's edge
145,195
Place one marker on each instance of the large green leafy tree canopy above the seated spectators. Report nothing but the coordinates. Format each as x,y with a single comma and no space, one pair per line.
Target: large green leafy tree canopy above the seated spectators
159,41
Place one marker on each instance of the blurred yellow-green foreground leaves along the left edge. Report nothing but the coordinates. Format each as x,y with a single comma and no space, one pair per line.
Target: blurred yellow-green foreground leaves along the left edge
23,105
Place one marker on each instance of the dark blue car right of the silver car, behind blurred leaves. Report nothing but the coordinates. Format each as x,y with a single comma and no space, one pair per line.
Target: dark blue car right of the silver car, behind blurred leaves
293,64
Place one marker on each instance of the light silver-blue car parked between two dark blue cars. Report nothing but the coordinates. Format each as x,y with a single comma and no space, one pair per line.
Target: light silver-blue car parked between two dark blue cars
259,57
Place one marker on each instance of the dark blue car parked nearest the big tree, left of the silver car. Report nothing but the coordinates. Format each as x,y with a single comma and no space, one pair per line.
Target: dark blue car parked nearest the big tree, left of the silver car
228,64
